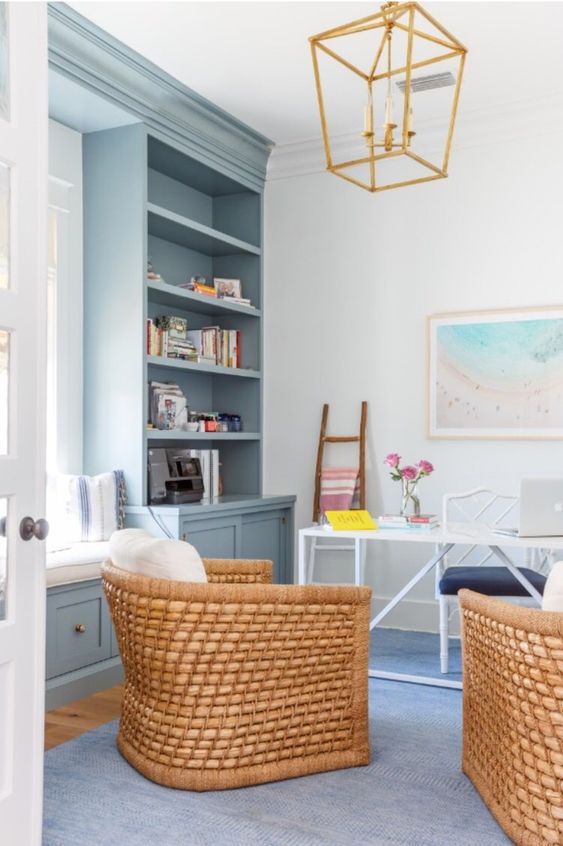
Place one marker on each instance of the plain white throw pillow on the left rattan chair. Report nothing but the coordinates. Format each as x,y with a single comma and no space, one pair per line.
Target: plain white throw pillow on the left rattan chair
138,552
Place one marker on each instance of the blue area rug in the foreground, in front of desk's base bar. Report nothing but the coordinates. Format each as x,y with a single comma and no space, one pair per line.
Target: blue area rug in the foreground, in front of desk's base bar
412,794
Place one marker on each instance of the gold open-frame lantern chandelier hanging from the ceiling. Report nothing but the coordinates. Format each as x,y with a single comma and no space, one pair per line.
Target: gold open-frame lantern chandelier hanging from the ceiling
384,53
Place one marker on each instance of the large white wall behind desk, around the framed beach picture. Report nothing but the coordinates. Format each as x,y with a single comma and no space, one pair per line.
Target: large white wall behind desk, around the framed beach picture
350,279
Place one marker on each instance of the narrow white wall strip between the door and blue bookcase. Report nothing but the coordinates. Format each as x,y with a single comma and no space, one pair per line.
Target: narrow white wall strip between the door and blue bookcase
65,196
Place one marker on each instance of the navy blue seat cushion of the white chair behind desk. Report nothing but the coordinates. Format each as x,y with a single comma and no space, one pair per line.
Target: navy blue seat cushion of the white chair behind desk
491,581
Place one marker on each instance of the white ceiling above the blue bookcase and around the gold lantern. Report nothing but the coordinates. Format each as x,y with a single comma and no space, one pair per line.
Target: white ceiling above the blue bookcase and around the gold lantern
253,58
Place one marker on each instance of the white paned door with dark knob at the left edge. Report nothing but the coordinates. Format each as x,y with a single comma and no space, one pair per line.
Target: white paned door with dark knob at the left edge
23,275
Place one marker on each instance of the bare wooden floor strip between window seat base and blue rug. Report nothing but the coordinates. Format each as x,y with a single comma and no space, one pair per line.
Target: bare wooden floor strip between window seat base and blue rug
79,717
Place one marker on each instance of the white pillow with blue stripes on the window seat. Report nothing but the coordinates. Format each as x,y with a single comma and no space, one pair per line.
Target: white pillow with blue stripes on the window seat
90,508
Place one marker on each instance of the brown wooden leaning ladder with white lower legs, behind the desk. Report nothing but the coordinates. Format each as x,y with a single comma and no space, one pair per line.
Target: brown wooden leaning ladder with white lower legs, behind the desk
357,547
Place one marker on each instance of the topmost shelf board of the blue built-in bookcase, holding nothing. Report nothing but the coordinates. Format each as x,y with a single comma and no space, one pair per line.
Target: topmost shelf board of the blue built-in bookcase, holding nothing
185,232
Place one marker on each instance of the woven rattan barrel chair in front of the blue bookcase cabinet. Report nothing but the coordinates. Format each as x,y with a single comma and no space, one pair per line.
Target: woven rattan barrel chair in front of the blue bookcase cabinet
238,681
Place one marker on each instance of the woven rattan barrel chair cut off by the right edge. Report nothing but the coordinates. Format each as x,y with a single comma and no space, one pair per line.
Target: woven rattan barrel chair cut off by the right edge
513,715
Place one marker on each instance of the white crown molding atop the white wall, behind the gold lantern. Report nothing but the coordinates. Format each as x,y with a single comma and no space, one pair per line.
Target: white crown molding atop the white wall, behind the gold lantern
509,122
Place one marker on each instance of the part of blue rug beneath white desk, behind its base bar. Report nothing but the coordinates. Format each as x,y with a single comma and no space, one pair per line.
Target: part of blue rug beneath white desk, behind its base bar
415,653
